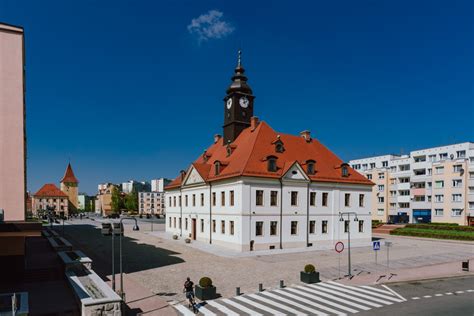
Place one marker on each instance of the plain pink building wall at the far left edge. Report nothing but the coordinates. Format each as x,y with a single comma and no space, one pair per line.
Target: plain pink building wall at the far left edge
12,124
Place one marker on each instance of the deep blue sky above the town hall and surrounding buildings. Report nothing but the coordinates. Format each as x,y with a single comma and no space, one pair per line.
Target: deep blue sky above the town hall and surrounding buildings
133,89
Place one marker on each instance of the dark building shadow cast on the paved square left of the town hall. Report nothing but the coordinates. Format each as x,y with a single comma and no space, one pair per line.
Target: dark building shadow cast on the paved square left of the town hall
136,256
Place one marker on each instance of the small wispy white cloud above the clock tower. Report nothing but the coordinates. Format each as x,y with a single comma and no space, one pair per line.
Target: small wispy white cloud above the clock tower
210,26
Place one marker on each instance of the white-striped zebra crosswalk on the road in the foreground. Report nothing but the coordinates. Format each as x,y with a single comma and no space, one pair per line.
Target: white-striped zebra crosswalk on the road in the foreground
321,299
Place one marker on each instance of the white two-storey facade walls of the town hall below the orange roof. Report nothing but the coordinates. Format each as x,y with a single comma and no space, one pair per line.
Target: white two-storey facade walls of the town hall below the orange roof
231,213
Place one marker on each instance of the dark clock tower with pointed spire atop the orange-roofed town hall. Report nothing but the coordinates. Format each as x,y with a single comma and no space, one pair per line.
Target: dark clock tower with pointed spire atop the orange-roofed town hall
238,104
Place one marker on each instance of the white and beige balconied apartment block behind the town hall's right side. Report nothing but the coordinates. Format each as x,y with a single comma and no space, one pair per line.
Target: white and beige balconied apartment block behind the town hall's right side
427,185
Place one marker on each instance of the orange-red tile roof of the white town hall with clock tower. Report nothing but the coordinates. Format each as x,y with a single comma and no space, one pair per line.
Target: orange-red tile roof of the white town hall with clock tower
251,149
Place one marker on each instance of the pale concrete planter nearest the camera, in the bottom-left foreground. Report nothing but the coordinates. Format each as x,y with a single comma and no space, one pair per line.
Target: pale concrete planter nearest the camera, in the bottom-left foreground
94,296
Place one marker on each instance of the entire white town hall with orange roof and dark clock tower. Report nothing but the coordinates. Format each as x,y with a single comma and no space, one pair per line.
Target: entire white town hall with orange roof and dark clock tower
256,189
